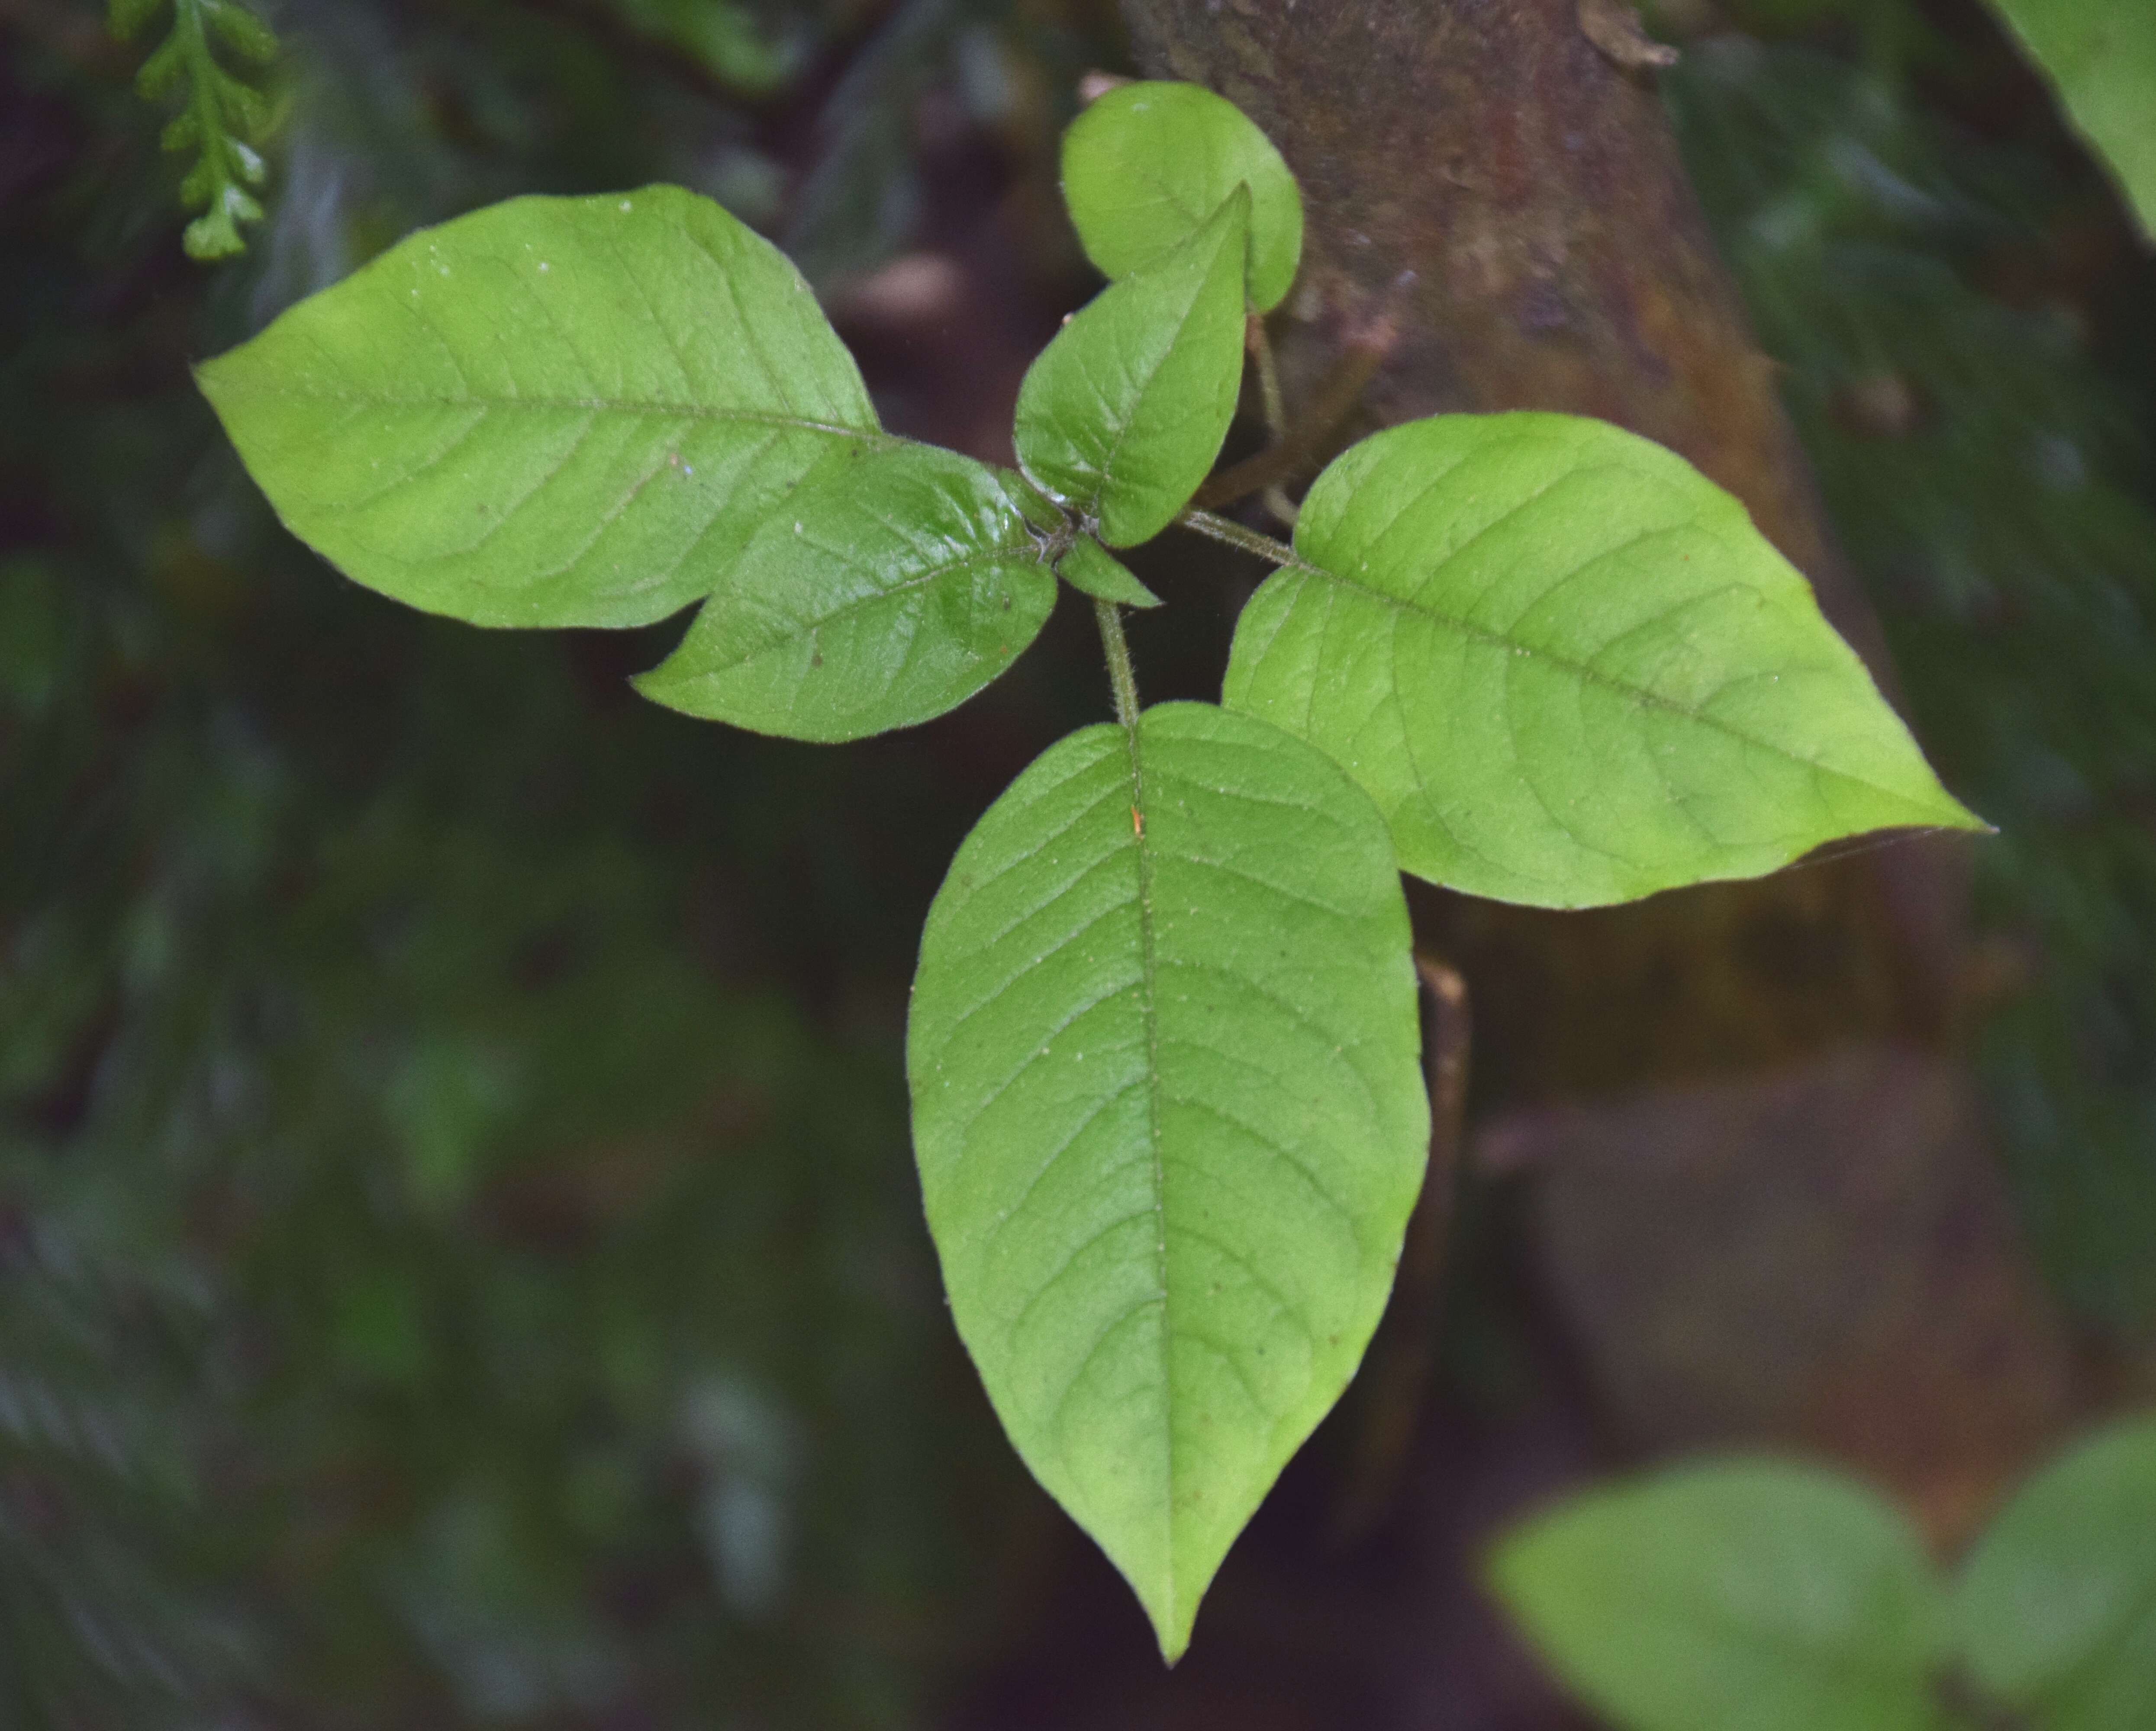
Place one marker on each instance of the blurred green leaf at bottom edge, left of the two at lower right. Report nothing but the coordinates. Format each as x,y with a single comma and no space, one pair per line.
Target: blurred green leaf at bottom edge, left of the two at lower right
1732,1596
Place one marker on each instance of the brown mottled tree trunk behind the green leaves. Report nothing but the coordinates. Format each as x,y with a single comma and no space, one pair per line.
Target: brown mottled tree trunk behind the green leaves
1495,193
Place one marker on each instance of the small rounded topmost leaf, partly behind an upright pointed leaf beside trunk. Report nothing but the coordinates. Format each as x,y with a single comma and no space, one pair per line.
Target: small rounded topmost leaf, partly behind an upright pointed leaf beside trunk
1148,165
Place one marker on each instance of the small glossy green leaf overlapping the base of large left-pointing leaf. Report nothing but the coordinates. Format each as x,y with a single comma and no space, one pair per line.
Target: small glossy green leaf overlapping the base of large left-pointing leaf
896,583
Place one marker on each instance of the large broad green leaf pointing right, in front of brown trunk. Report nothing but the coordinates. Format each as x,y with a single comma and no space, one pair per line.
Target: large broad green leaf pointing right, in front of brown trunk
1568,667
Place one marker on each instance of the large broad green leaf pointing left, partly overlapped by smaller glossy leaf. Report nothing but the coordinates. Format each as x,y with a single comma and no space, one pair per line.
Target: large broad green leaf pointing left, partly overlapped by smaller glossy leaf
549,413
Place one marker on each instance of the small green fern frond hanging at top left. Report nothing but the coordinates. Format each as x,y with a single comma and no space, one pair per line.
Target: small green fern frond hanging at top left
221,115
